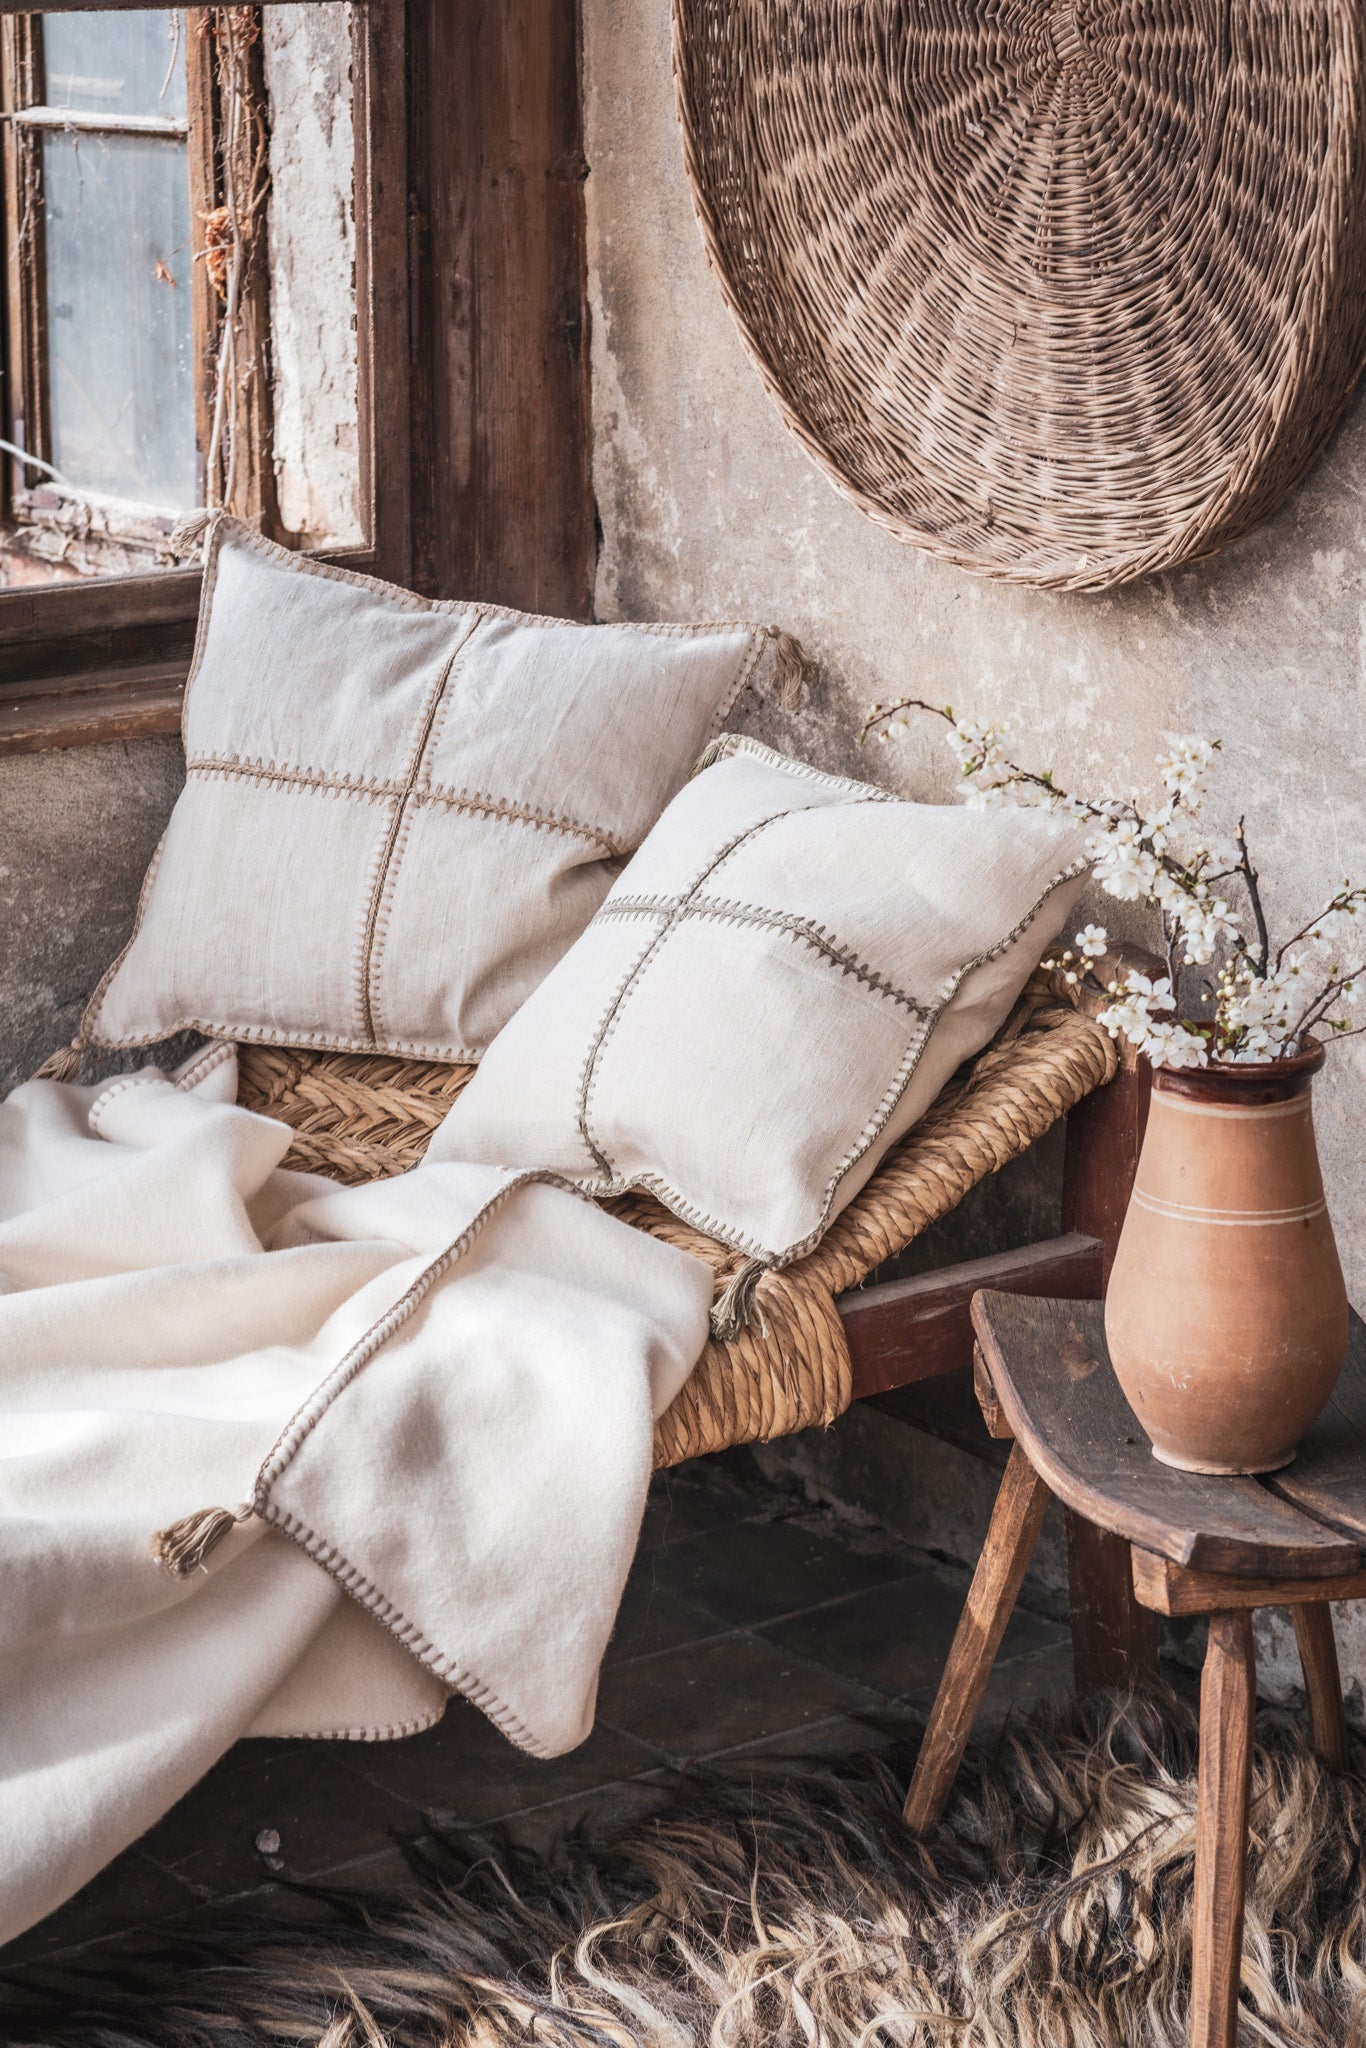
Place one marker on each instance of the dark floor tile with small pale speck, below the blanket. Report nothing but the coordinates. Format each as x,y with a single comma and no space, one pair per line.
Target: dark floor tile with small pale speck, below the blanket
308,1795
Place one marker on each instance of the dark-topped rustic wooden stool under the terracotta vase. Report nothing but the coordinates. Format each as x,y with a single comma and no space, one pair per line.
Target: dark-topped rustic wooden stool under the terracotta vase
1220,1547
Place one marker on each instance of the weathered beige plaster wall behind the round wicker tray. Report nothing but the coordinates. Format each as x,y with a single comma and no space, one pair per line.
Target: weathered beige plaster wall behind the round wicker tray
710,509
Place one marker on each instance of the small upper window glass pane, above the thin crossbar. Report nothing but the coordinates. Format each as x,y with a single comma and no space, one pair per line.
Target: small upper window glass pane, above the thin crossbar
116,65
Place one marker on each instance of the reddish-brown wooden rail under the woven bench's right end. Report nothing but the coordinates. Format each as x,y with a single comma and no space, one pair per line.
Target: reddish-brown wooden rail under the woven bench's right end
908,1330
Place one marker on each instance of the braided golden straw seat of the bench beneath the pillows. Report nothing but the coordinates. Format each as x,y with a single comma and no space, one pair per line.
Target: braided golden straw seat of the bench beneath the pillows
357,1117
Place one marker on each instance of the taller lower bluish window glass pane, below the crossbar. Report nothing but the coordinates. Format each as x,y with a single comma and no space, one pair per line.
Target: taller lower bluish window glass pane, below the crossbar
120,316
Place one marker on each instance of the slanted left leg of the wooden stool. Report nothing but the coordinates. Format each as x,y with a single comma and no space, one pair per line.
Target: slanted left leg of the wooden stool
1011,1541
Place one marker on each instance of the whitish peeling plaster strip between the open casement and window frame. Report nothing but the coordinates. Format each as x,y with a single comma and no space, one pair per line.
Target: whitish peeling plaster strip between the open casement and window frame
312,269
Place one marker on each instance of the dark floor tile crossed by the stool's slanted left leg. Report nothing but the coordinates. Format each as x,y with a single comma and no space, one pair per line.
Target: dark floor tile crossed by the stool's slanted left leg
896,1639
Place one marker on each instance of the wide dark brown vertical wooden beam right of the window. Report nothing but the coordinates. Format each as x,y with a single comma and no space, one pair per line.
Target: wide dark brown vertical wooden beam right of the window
503,501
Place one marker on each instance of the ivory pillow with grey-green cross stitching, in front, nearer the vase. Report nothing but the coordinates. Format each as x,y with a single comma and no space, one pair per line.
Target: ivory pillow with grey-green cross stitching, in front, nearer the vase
775,990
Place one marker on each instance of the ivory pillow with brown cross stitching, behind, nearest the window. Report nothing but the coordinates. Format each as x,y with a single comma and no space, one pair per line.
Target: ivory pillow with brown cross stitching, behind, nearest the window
398,812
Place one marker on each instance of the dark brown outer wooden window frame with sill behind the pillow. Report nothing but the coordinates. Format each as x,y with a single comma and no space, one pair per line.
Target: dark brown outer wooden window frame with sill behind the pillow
108,658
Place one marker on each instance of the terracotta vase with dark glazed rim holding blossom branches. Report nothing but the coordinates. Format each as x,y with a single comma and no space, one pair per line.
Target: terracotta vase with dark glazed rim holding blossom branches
1228,1316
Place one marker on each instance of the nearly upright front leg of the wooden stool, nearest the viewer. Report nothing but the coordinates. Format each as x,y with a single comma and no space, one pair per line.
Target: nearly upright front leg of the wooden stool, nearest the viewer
1228,1705
